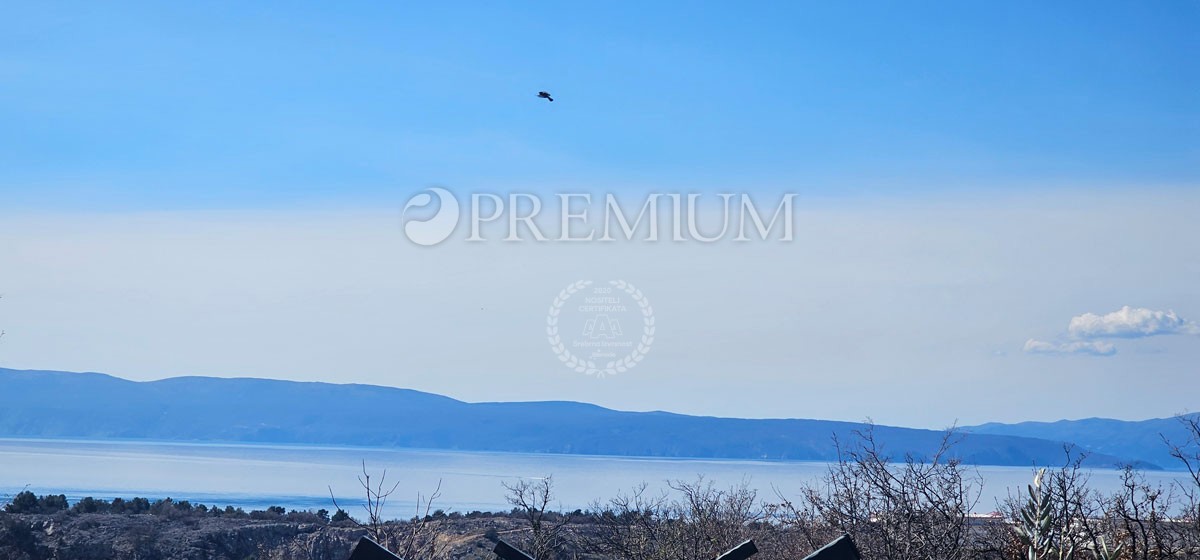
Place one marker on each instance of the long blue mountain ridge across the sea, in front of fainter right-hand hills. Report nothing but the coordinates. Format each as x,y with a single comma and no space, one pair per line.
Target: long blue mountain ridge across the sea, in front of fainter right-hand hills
61,405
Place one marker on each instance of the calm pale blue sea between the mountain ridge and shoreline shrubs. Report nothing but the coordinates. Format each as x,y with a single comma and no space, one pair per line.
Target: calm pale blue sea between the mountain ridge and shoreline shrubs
256,477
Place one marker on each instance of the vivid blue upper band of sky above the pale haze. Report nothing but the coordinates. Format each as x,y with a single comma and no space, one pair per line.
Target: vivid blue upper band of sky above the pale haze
279,105
